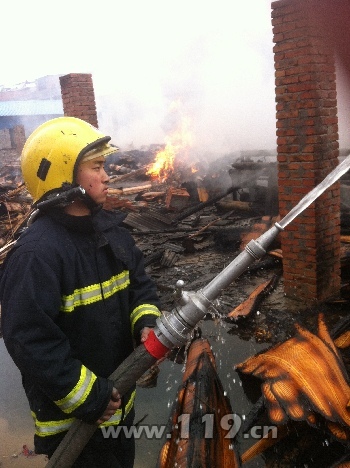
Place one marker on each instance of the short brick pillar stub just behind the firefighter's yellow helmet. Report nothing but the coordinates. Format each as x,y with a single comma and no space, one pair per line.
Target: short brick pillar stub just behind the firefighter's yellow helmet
78,97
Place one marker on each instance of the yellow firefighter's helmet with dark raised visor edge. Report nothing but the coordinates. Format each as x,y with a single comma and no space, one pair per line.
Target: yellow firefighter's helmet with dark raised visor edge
53,151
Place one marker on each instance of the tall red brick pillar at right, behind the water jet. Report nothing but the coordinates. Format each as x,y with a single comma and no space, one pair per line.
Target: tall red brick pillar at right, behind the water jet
307,150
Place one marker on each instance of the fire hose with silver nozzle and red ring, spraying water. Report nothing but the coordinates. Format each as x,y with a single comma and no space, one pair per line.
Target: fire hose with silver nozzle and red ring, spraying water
173,328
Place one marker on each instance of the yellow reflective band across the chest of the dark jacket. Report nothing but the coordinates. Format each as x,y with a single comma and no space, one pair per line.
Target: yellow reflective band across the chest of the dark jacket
95,292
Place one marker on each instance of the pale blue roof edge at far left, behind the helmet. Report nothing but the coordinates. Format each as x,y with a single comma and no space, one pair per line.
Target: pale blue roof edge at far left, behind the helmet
31,107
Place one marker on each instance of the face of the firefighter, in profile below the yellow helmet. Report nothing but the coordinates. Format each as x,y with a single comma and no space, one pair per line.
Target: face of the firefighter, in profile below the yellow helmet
92,176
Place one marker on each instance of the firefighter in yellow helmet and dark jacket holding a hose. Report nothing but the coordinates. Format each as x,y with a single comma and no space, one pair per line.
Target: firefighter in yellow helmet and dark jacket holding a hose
75,297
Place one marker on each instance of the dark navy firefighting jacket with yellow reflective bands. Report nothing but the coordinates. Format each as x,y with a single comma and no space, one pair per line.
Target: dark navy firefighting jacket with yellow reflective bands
74,298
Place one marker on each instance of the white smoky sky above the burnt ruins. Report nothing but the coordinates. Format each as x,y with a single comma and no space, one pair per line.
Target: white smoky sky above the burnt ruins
155,63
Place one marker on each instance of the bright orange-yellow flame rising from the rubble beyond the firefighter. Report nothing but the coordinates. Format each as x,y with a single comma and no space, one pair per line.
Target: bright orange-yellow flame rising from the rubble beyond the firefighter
176,148
